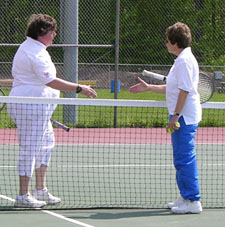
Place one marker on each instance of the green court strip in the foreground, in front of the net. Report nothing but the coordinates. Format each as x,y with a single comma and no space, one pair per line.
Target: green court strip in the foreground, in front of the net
112,218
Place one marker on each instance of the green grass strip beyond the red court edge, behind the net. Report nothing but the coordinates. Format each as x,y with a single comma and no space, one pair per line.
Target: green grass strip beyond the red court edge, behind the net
130,116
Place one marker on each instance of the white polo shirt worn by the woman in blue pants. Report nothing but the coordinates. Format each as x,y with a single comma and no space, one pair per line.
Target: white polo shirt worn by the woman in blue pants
184,75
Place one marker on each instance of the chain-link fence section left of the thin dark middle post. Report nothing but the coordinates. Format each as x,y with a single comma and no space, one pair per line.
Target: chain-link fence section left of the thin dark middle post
96,34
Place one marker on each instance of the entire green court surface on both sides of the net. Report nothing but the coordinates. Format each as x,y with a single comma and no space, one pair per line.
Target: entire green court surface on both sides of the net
102,174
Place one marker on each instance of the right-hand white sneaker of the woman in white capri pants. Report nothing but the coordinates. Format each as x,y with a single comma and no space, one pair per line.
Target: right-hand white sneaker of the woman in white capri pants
46,196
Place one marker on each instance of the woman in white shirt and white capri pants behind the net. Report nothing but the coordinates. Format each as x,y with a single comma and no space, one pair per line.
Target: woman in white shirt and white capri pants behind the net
35,76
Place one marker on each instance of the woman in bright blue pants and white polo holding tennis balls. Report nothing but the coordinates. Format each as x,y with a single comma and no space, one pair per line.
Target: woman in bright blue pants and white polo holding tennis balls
183,104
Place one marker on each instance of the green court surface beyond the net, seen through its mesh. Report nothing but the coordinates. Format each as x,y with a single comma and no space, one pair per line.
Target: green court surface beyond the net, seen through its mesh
105,176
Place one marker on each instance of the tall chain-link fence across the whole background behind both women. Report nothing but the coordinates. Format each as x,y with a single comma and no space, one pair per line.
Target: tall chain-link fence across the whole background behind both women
90,26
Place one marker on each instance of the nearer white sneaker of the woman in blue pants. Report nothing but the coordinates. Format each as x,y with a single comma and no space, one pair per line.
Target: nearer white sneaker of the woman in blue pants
189,207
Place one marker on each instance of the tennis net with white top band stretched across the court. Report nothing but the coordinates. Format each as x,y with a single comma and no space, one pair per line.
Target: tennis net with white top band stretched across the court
96,165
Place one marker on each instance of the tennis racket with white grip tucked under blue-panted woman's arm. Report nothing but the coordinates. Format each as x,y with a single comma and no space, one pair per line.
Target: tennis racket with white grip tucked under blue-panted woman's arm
206,87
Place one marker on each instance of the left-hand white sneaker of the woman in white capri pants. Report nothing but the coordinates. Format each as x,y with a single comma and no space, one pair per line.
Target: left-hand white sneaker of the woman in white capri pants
28,201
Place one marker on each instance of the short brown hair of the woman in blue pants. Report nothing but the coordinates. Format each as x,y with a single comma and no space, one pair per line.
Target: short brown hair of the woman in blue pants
179,33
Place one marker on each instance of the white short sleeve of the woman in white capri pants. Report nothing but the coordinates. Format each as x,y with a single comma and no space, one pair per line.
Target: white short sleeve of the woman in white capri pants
44,68
